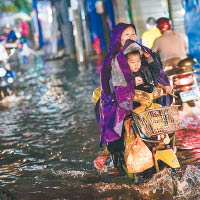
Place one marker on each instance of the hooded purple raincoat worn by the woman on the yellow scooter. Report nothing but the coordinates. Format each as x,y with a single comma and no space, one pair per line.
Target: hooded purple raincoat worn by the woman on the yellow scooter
116,100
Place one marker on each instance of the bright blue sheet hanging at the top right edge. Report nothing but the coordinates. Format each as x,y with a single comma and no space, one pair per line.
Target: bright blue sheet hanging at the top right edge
192,18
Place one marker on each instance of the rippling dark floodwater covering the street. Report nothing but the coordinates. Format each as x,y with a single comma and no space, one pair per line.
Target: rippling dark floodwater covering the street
49,140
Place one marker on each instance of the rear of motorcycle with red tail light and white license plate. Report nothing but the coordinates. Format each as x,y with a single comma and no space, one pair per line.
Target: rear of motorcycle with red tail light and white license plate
184,82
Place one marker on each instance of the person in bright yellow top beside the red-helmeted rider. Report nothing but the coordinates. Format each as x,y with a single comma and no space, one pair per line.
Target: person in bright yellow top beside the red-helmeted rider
152,32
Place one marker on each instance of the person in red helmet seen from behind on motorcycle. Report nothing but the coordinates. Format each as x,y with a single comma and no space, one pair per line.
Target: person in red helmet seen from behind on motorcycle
171,46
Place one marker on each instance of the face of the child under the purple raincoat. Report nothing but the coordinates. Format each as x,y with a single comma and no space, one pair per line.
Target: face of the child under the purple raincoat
134,62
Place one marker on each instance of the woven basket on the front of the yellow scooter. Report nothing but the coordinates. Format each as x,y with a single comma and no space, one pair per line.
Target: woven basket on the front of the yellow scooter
162,120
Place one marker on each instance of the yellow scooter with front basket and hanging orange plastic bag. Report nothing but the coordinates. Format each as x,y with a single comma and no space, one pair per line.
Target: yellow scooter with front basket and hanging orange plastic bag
150,134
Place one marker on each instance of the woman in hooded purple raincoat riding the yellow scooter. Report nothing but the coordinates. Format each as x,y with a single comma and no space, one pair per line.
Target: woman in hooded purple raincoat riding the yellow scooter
117,87
